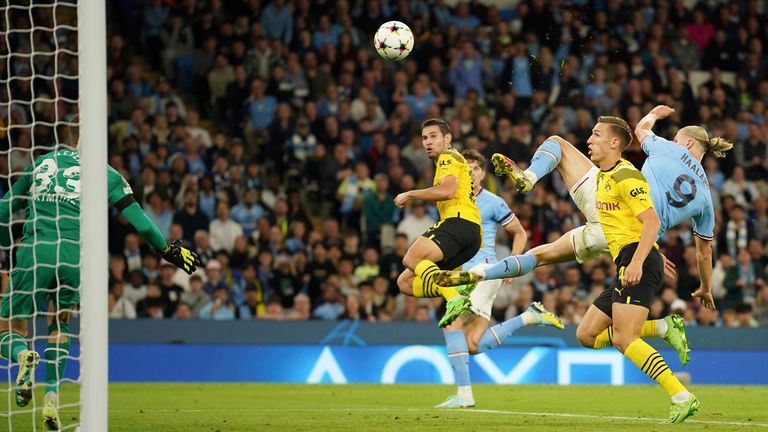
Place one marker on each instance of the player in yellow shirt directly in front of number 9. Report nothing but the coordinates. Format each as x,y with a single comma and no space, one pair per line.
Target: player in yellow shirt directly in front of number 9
630,224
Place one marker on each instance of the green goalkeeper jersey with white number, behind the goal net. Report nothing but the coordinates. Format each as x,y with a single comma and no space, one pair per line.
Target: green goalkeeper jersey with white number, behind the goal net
49,191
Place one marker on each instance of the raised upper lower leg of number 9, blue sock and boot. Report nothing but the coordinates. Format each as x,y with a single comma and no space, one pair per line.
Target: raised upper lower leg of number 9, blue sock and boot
546,159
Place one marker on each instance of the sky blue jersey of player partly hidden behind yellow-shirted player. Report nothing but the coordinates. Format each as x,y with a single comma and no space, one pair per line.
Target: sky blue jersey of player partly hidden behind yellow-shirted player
493,211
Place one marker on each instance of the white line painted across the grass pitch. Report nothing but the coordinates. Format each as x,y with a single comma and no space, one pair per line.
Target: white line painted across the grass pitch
469,410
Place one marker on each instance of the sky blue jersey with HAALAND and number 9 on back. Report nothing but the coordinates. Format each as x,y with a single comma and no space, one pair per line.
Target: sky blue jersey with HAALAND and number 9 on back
679,186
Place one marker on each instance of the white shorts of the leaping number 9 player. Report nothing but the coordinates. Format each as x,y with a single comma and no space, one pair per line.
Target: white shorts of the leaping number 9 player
588,240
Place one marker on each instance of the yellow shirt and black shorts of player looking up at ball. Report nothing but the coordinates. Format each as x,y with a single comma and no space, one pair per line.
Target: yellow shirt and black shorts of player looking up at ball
458,232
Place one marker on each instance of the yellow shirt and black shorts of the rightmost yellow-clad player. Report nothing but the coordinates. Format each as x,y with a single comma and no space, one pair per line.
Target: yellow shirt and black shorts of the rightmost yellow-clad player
622,194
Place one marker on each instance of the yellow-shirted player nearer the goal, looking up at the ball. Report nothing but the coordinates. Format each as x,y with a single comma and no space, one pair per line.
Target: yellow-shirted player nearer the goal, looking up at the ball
456,237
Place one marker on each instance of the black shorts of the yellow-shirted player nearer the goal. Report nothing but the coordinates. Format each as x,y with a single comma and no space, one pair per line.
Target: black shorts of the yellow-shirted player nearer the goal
458,238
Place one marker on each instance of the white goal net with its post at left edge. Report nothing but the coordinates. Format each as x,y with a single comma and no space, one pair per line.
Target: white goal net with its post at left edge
41,107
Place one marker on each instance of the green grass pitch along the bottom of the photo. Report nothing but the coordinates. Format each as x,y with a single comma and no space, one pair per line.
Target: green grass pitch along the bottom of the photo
320,408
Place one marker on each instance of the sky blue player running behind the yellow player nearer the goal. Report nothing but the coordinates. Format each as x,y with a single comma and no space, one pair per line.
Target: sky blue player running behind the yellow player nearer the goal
473,336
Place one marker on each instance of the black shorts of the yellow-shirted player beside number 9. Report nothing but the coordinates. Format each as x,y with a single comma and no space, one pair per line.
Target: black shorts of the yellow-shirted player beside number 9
640,294
